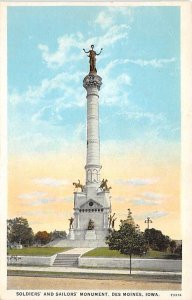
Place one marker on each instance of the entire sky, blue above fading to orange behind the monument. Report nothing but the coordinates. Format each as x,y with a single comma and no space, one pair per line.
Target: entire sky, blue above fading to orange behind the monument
139,111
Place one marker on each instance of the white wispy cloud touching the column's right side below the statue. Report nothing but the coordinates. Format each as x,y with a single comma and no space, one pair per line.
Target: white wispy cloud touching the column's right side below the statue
116,91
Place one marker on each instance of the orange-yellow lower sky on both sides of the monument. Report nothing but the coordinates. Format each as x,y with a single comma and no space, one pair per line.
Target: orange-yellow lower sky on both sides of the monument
41,190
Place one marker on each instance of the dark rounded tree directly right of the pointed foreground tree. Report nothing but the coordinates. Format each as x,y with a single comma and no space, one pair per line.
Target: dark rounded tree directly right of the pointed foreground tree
156,239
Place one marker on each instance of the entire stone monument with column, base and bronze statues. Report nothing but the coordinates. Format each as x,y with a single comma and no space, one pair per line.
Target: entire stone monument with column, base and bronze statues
92,218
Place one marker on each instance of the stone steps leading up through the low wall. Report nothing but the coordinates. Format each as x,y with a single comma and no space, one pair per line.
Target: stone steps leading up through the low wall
66,260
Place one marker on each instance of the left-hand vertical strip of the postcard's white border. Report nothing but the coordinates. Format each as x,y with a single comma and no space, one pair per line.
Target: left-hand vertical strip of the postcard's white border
3,144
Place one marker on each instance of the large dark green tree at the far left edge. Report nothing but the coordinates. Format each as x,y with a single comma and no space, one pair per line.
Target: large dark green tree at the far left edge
18,231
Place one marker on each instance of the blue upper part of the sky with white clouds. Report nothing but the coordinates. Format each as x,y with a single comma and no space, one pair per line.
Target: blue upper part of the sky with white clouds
140,67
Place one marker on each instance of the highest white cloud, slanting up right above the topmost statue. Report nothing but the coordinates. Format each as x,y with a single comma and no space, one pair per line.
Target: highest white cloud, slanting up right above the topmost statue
69,47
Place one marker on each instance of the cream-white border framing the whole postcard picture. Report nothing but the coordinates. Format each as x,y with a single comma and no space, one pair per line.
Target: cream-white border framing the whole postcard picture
186,96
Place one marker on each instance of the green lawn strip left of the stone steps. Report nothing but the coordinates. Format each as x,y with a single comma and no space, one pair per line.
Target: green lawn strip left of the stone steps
37,251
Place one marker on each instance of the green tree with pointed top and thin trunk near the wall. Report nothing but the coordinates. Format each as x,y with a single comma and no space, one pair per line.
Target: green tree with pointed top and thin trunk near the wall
128,240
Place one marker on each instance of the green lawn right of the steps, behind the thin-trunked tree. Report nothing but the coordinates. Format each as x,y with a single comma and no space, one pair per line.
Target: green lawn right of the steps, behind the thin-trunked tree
105,252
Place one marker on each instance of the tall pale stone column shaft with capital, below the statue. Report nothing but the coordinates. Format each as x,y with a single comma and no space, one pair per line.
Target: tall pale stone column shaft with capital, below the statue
92,83
